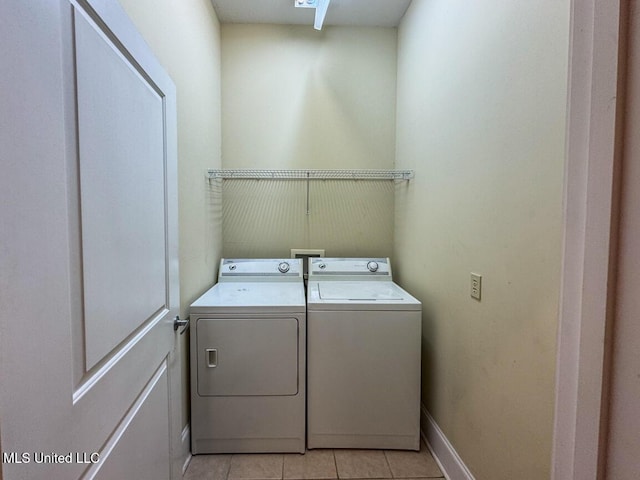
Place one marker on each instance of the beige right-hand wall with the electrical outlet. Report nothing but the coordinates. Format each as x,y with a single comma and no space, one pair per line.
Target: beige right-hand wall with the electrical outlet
481,119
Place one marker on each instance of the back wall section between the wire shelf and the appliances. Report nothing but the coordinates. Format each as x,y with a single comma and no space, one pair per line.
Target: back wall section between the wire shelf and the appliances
266,218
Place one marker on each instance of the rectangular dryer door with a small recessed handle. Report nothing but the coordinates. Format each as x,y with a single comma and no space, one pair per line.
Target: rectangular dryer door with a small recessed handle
247,356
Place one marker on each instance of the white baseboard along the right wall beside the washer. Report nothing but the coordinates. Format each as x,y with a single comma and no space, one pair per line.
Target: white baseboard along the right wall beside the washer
443,452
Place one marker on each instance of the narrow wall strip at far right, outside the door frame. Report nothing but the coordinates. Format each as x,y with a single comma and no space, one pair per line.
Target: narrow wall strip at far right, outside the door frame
623,462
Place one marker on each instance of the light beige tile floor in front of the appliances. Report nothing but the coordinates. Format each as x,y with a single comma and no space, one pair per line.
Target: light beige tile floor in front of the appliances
316,465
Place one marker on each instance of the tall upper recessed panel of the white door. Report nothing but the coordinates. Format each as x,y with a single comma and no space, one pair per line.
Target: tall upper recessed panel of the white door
122,167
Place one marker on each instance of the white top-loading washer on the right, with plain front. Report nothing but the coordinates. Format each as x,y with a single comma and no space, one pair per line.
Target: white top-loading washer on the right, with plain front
363,357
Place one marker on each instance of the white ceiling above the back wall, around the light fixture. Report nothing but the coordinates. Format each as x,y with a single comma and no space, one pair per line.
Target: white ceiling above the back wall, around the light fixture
374,13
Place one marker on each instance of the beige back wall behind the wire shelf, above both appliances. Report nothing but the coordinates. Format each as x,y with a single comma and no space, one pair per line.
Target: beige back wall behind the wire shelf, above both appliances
293,97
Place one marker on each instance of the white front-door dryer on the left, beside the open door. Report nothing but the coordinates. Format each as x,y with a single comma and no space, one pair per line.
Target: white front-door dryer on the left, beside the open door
248,339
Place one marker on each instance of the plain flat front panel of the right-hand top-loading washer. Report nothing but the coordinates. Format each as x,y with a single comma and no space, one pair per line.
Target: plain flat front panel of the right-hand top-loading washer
363,379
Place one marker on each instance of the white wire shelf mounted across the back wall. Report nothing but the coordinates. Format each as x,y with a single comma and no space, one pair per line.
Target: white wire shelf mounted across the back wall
230,174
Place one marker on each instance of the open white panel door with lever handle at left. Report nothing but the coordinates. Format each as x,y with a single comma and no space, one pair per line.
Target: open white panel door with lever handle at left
88,247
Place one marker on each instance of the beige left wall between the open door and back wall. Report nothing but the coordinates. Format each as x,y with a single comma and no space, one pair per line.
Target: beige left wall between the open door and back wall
185,37
